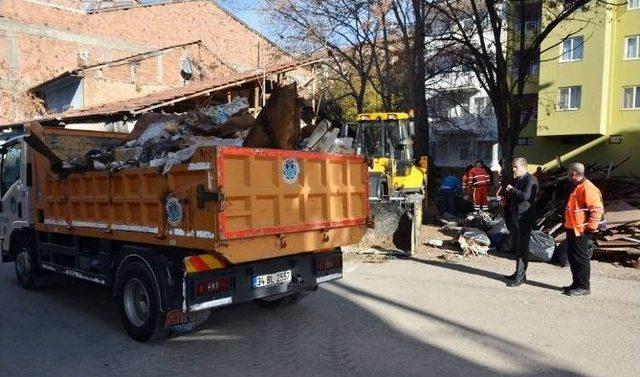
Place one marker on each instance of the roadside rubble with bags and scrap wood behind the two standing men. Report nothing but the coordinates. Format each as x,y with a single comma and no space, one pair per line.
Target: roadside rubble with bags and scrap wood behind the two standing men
620,241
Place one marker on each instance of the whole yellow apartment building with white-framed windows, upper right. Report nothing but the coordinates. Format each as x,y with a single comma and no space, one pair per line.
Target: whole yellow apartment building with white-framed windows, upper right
589,91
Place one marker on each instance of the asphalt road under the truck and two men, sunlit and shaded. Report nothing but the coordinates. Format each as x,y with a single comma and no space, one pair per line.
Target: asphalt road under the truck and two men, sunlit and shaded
397,318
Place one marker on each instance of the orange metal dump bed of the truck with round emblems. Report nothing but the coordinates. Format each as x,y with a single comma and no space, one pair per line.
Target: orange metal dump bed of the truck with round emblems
241,204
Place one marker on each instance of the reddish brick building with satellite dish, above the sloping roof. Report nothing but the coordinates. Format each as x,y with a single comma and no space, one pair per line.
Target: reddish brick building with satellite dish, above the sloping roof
60,55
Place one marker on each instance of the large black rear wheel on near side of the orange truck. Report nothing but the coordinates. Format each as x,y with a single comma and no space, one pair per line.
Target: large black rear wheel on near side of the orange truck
138,300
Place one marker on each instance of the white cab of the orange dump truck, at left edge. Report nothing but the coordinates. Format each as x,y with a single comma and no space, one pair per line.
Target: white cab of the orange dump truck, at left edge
13,195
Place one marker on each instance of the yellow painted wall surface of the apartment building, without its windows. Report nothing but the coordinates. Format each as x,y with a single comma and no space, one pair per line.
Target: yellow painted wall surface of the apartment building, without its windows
602,73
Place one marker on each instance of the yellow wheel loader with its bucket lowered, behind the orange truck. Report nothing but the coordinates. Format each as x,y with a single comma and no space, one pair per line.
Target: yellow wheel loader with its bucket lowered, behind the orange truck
397,180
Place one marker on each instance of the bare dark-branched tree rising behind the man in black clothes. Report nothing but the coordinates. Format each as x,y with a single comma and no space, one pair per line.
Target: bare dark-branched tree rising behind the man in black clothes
501,42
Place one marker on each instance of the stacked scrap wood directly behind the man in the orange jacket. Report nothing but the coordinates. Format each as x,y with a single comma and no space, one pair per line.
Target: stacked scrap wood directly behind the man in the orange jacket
621,196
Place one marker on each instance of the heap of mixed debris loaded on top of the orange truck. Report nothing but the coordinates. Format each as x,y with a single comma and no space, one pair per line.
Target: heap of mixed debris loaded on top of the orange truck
163,140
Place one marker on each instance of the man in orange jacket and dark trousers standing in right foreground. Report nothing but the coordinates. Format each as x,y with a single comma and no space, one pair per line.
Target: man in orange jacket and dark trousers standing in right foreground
582,218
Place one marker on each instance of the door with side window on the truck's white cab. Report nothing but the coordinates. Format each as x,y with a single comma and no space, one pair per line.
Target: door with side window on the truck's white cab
12,209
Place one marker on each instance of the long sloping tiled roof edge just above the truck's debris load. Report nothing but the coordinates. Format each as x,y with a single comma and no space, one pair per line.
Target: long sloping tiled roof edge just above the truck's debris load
168,97
